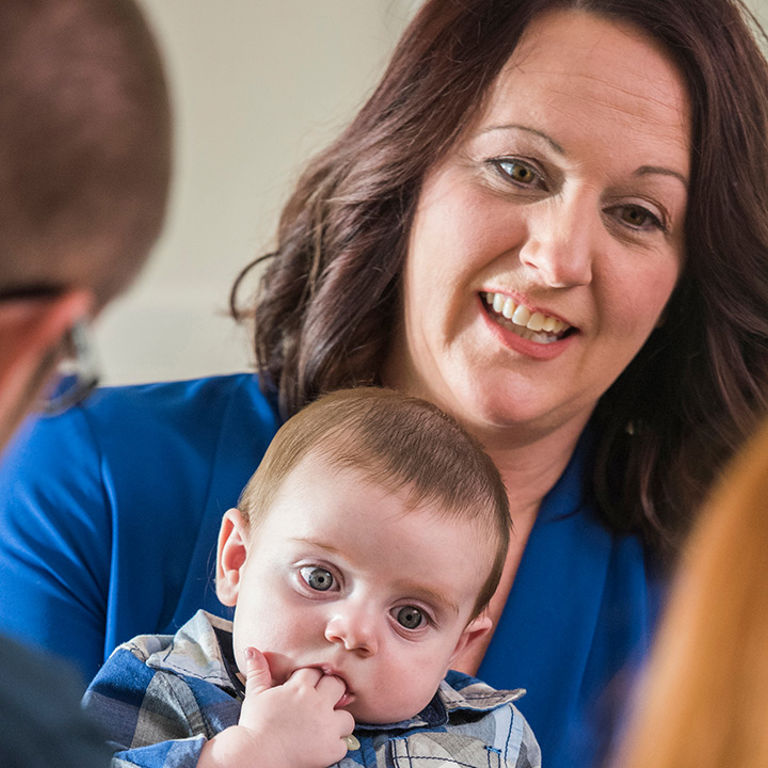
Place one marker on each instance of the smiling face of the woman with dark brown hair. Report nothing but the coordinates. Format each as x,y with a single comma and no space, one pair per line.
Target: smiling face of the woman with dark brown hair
547,242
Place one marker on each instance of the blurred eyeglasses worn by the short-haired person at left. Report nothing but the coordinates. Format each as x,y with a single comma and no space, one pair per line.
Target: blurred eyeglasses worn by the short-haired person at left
76,368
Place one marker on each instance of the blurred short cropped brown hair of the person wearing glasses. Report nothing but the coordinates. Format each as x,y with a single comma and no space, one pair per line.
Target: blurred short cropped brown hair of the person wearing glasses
85,144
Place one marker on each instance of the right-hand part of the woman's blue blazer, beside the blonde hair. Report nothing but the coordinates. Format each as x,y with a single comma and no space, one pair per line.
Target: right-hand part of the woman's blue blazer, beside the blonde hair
579,617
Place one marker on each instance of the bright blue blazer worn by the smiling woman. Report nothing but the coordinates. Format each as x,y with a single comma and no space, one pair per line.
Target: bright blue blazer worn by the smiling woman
108,522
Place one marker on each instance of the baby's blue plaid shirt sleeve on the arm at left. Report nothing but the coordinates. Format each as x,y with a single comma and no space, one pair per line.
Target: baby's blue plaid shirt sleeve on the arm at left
151,718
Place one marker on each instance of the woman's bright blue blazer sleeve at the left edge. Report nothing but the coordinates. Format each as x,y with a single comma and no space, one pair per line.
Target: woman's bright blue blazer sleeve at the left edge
55,541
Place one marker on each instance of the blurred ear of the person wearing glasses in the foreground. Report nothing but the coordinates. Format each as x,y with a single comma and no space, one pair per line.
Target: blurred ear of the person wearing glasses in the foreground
31,330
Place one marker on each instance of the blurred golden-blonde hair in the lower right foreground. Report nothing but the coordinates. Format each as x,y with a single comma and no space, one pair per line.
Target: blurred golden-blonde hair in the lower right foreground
704,701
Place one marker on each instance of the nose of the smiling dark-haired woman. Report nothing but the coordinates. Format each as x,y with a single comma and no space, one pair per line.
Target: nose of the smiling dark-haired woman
561,237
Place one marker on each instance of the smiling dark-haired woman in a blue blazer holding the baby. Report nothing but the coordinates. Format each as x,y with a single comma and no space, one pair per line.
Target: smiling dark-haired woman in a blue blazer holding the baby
543,221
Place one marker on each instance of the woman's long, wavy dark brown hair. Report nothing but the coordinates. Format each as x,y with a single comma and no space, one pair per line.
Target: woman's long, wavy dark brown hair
328,300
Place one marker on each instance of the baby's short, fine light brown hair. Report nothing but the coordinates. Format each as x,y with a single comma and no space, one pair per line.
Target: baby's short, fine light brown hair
399,442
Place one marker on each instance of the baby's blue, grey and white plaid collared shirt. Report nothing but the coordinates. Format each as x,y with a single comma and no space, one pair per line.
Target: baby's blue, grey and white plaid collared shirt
159,697
